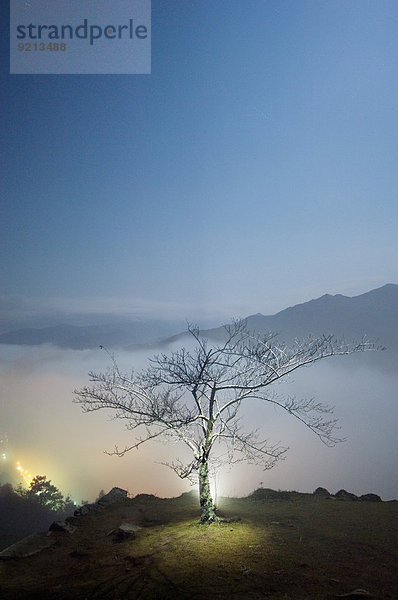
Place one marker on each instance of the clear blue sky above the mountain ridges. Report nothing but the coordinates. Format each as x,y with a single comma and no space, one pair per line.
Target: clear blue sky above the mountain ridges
253,169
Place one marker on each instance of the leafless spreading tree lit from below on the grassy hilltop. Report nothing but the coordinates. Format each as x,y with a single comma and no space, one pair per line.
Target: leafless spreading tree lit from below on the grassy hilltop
195,397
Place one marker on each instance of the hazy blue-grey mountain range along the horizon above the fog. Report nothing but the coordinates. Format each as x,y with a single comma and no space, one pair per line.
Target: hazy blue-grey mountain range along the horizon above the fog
373,314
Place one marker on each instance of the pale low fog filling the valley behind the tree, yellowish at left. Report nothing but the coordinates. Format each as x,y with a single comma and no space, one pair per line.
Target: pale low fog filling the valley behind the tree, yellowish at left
49,435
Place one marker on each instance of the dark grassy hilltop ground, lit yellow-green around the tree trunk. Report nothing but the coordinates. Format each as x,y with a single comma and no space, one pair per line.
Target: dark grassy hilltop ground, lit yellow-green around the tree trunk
302,548
